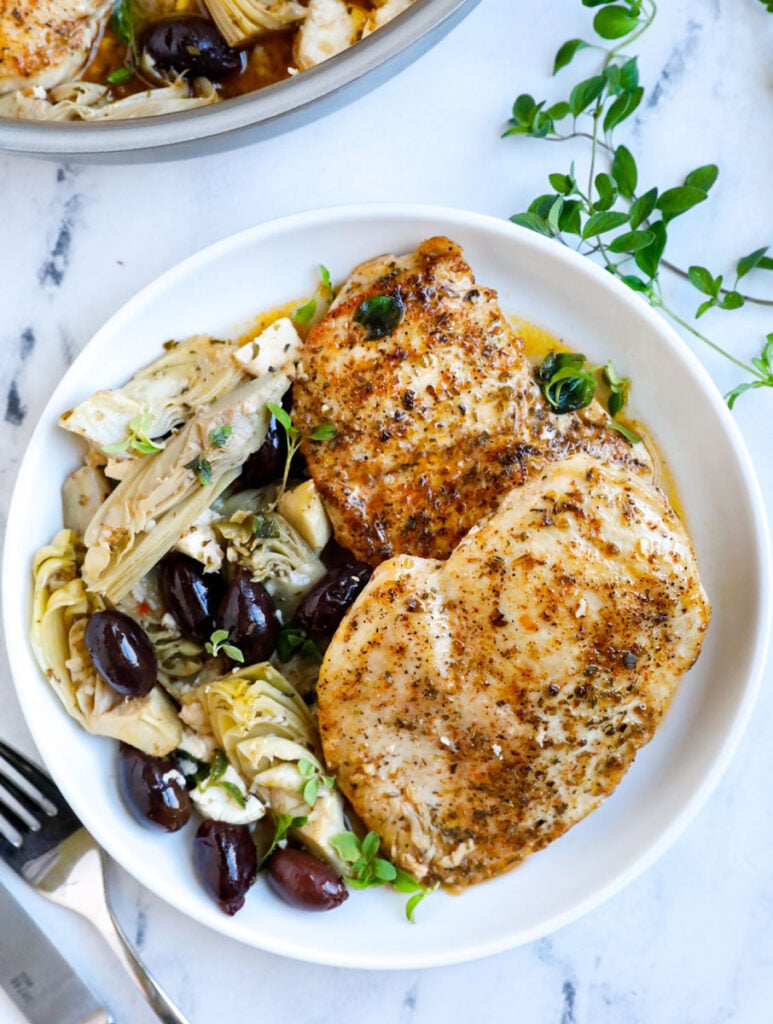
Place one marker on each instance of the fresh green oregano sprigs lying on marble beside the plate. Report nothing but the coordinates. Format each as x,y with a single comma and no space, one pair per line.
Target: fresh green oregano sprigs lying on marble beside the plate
607,216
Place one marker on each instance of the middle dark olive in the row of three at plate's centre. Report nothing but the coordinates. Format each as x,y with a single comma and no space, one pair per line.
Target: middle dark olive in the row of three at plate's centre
249,617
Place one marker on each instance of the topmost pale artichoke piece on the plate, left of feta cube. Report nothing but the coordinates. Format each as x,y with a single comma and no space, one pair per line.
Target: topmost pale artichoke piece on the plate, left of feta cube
190,374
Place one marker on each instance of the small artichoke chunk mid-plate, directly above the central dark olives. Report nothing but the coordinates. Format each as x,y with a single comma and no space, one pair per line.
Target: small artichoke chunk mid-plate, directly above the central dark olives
276,554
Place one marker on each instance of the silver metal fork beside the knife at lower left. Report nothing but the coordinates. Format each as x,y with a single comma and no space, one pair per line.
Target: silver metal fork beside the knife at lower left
45,842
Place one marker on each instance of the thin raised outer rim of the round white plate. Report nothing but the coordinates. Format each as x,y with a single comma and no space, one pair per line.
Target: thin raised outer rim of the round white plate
448,219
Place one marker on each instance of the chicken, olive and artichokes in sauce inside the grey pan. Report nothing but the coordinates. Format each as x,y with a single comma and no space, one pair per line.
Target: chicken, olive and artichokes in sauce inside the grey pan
95,61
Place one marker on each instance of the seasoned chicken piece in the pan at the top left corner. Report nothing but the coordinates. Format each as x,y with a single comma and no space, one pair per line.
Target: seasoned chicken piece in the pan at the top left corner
47,42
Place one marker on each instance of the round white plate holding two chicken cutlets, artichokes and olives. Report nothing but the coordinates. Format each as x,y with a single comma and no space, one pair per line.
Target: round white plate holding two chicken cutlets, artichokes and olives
222,288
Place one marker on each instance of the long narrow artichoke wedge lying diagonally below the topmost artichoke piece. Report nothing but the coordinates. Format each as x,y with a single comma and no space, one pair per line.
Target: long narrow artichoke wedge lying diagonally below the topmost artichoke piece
165,493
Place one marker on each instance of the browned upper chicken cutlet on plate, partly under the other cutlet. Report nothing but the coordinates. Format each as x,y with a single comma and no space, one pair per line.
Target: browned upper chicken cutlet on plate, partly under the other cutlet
438,419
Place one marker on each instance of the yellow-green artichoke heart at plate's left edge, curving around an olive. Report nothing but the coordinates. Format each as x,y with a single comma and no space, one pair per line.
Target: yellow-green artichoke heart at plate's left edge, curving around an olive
62,608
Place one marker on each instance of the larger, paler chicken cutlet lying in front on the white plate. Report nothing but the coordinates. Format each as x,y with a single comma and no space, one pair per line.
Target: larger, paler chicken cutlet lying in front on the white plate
475,710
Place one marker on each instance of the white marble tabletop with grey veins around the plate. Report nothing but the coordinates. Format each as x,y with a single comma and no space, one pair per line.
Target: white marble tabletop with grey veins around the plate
692,942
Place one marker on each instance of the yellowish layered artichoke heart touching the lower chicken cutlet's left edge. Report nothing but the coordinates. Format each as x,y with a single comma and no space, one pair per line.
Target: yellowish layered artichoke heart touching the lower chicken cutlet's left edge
267,732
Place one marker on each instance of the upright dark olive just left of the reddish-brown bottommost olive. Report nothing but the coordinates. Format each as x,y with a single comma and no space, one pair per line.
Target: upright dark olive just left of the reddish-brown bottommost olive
226,863
